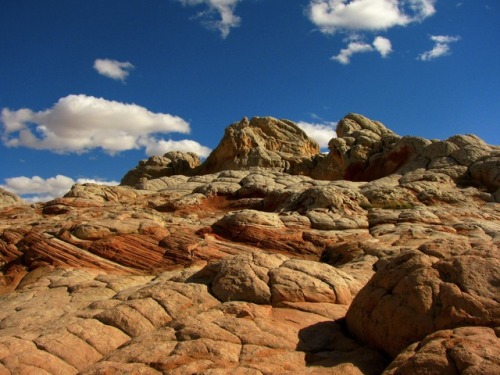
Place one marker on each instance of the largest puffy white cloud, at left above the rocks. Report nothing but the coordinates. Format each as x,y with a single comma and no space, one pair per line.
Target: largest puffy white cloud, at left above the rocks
79,123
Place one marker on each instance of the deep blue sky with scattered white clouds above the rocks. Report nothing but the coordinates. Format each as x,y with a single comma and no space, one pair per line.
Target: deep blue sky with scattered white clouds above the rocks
90,87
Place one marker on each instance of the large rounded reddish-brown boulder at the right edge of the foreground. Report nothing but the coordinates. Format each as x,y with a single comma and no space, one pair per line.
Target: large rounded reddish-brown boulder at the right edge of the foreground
415,294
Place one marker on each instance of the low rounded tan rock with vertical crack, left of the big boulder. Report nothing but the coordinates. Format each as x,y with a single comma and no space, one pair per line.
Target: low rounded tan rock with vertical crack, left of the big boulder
275,279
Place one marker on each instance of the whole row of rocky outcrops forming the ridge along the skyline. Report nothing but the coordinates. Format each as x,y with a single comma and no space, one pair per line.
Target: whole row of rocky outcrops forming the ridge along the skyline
364,150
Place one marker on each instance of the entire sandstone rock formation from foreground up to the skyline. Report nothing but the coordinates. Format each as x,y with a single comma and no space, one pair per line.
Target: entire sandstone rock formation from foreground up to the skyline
258,266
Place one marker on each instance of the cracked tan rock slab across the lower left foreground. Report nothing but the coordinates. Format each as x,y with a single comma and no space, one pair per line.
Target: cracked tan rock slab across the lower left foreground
73,321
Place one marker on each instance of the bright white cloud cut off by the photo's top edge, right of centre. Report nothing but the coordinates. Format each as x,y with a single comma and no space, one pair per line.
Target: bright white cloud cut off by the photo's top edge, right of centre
367,15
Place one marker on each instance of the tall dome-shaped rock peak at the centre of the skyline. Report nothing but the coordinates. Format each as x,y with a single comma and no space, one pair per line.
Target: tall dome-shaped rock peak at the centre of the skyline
263,142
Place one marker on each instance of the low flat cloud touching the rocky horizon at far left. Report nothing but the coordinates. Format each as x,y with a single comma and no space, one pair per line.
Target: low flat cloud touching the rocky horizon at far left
38,189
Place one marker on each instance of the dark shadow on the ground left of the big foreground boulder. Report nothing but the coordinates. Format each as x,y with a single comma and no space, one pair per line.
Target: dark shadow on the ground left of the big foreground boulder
328,344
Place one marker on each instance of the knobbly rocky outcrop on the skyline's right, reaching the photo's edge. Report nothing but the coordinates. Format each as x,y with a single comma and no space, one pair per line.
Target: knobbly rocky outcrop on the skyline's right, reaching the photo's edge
365,150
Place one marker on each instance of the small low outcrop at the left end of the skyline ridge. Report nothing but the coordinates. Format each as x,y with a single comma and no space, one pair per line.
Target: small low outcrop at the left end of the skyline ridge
170,164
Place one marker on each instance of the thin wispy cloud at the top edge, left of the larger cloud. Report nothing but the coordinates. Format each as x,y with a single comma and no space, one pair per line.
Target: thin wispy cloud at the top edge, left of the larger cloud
221,8
